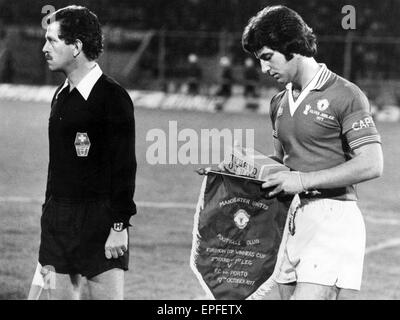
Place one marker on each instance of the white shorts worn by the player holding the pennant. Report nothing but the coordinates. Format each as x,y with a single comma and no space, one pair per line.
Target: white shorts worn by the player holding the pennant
327,247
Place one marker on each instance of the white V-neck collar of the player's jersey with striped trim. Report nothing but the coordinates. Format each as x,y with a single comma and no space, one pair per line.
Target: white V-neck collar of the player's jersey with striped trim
316,83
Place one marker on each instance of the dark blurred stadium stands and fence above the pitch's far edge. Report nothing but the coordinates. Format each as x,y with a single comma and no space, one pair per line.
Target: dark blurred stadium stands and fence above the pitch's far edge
148,44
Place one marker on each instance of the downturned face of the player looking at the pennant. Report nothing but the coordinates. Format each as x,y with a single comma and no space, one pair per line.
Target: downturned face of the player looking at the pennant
275,64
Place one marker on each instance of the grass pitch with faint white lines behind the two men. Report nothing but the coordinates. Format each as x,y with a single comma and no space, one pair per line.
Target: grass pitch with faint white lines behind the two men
161,237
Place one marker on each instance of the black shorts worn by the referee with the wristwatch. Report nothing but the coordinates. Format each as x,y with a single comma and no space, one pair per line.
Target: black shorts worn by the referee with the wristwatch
73,237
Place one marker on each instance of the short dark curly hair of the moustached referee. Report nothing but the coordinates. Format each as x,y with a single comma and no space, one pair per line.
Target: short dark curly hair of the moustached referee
77,22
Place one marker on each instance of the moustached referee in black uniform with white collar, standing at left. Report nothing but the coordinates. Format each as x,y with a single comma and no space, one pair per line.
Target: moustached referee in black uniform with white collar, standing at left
92,164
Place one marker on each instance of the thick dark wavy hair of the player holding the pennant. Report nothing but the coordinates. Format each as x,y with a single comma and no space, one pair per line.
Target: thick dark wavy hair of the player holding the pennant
282,29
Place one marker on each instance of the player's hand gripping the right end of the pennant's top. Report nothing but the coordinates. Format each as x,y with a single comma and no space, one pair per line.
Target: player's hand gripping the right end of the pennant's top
288,182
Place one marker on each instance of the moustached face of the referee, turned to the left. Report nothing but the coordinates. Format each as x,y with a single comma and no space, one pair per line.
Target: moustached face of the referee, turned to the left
58,54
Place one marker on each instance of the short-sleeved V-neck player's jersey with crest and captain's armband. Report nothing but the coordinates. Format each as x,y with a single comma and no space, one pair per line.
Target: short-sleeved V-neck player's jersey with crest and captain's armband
330,118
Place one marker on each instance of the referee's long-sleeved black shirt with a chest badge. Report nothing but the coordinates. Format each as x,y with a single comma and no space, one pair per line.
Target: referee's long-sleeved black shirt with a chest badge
92,147
